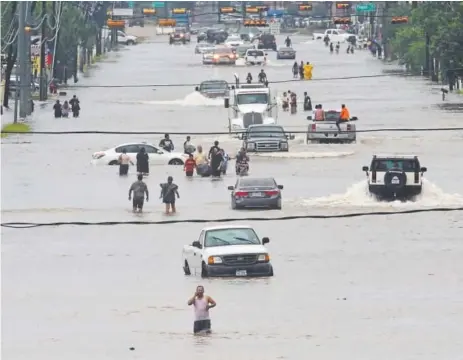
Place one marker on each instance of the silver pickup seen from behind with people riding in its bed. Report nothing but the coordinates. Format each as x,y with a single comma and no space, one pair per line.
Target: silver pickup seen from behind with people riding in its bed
326,131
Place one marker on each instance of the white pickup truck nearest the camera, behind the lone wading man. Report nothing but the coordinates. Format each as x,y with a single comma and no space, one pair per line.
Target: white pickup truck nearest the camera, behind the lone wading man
227,251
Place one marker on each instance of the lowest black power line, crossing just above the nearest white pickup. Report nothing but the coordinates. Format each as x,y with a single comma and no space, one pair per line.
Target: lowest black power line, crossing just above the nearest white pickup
26,225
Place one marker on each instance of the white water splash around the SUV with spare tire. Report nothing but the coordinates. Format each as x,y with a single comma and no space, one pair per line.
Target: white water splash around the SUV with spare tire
358,196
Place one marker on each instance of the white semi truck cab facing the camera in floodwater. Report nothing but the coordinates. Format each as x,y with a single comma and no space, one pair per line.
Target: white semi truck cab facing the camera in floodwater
250,104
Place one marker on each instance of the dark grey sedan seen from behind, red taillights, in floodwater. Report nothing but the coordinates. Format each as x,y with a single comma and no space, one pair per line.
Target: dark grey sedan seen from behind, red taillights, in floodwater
251,192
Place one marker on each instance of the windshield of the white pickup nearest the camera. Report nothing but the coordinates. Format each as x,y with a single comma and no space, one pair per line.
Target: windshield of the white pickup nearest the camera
234,236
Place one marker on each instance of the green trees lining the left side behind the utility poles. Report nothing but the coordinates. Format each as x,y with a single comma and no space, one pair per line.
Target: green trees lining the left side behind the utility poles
80,24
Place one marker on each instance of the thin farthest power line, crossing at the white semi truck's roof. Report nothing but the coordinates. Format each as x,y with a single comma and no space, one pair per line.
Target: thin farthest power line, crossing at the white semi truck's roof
233,81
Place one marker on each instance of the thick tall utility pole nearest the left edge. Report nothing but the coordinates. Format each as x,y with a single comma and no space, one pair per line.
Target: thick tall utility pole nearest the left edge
22,56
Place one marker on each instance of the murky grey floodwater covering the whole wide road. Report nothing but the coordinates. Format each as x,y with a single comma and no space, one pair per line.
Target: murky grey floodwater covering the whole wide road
379,287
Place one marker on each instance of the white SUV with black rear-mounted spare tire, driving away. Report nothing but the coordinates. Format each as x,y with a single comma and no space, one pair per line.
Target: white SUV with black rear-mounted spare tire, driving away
392,177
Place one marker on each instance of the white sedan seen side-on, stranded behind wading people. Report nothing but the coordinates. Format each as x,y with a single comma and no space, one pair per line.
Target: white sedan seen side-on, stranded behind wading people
156,155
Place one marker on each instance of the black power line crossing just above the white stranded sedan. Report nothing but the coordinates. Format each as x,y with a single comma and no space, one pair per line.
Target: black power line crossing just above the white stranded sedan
81,132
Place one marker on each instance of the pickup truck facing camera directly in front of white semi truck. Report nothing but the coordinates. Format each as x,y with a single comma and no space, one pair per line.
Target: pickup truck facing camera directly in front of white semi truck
266,138
